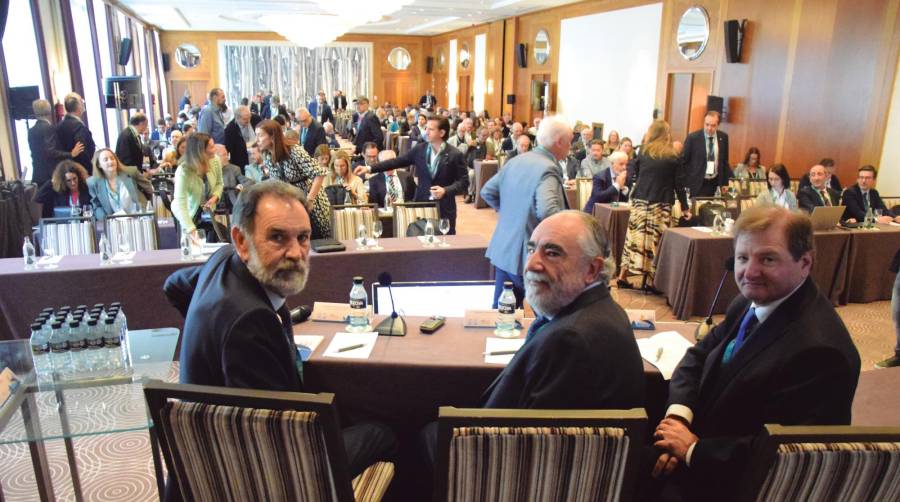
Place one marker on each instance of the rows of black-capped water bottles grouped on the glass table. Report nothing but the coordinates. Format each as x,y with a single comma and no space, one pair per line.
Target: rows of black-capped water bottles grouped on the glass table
80,344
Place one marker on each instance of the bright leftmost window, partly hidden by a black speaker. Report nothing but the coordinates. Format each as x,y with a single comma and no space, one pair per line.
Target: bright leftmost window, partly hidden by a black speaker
23,69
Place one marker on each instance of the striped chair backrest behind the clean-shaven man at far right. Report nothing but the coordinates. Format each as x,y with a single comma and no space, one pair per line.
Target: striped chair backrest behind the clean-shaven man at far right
824,463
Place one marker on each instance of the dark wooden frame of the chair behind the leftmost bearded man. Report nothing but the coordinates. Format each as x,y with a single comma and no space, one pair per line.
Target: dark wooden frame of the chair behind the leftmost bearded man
157,393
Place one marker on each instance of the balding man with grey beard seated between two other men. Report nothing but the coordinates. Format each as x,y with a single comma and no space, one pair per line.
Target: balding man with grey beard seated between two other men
580,352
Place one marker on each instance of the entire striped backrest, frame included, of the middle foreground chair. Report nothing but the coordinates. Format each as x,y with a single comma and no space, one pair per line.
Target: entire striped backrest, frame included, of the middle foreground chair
511,455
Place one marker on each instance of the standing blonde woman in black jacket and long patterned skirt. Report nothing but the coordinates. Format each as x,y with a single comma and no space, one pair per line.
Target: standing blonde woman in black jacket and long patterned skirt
660,175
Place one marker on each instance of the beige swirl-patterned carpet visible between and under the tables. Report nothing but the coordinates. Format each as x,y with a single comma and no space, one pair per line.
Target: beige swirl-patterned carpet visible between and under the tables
119,467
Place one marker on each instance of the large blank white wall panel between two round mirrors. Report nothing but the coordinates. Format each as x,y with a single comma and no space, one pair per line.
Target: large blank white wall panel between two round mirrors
608,66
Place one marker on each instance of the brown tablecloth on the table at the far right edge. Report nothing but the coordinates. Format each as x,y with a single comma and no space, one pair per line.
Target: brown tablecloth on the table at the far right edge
870,256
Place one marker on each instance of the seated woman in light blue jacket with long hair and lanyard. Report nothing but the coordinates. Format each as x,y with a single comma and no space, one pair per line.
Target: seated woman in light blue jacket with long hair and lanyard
115,187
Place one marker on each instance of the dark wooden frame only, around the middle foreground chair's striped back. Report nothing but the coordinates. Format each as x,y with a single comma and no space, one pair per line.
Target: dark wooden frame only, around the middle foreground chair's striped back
634,421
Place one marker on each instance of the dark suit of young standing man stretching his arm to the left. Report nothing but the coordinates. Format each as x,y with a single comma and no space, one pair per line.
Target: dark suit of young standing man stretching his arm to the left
451,174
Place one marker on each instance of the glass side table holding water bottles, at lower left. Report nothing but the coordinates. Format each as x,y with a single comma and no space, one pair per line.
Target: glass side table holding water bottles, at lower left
38,412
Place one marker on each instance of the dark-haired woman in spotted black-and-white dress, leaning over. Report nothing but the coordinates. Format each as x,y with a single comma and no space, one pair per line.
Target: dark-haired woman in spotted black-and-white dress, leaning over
288,161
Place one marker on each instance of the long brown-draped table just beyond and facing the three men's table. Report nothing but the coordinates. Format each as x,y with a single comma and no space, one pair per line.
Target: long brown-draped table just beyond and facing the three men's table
138,285
